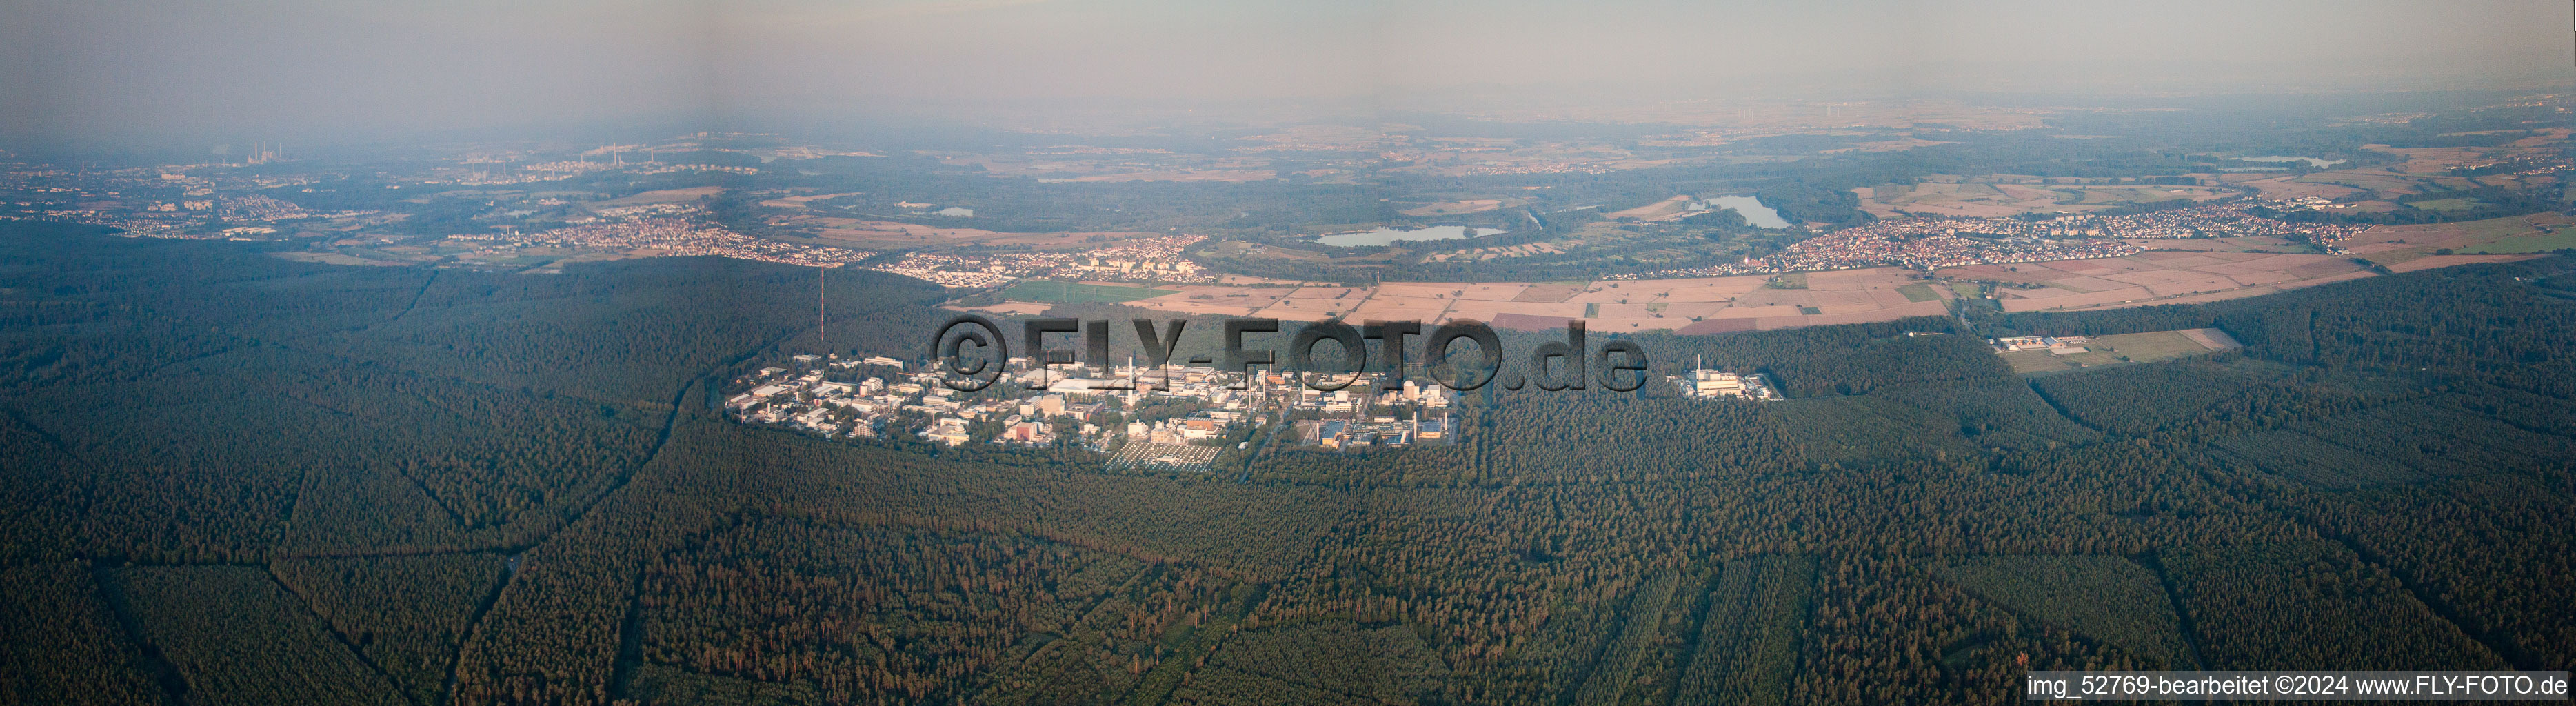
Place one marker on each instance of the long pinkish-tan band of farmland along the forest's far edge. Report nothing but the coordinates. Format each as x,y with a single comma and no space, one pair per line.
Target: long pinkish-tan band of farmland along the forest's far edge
2178,272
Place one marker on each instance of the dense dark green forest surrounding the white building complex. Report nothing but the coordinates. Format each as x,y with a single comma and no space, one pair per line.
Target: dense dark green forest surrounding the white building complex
231,478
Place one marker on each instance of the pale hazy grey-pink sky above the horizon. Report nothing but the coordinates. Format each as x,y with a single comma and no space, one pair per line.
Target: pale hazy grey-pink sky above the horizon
115,68
